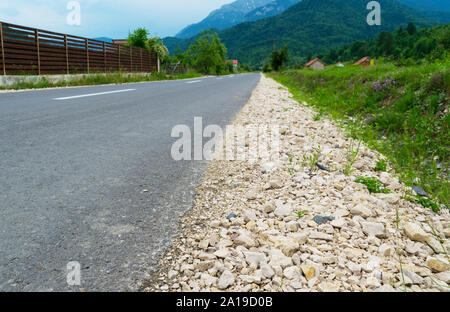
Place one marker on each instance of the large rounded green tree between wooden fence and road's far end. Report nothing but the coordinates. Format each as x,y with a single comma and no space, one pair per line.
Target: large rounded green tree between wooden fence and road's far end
208,54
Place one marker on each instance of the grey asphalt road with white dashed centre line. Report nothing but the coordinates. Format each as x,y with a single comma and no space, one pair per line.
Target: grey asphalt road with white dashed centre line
74,167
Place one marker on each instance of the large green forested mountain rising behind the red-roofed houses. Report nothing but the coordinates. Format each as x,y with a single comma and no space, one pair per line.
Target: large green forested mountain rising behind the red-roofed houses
312,26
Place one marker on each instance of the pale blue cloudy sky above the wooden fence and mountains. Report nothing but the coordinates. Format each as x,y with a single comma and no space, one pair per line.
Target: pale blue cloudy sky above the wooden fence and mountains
109,18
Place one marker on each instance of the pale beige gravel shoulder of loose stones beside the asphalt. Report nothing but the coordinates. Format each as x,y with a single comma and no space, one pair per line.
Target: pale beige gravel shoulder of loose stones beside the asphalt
290,226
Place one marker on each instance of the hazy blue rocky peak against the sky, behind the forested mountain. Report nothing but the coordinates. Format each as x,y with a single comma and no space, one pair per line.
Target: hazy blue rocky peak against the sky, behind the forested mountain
234,13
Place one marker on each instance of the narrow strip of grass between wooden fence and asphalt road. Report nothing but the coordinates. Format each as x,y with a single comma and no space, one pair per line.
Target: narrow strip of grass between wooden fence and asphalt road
99,79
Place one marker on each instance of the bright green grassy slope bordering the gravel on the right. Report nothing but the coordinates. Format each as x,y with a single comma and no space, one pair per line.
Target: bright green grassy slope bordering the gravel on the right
403,112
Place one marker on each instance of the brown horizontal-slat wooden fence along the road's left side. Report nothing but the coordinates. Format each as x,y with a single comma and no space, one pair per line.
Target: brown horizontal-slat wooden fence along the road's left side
27,50
